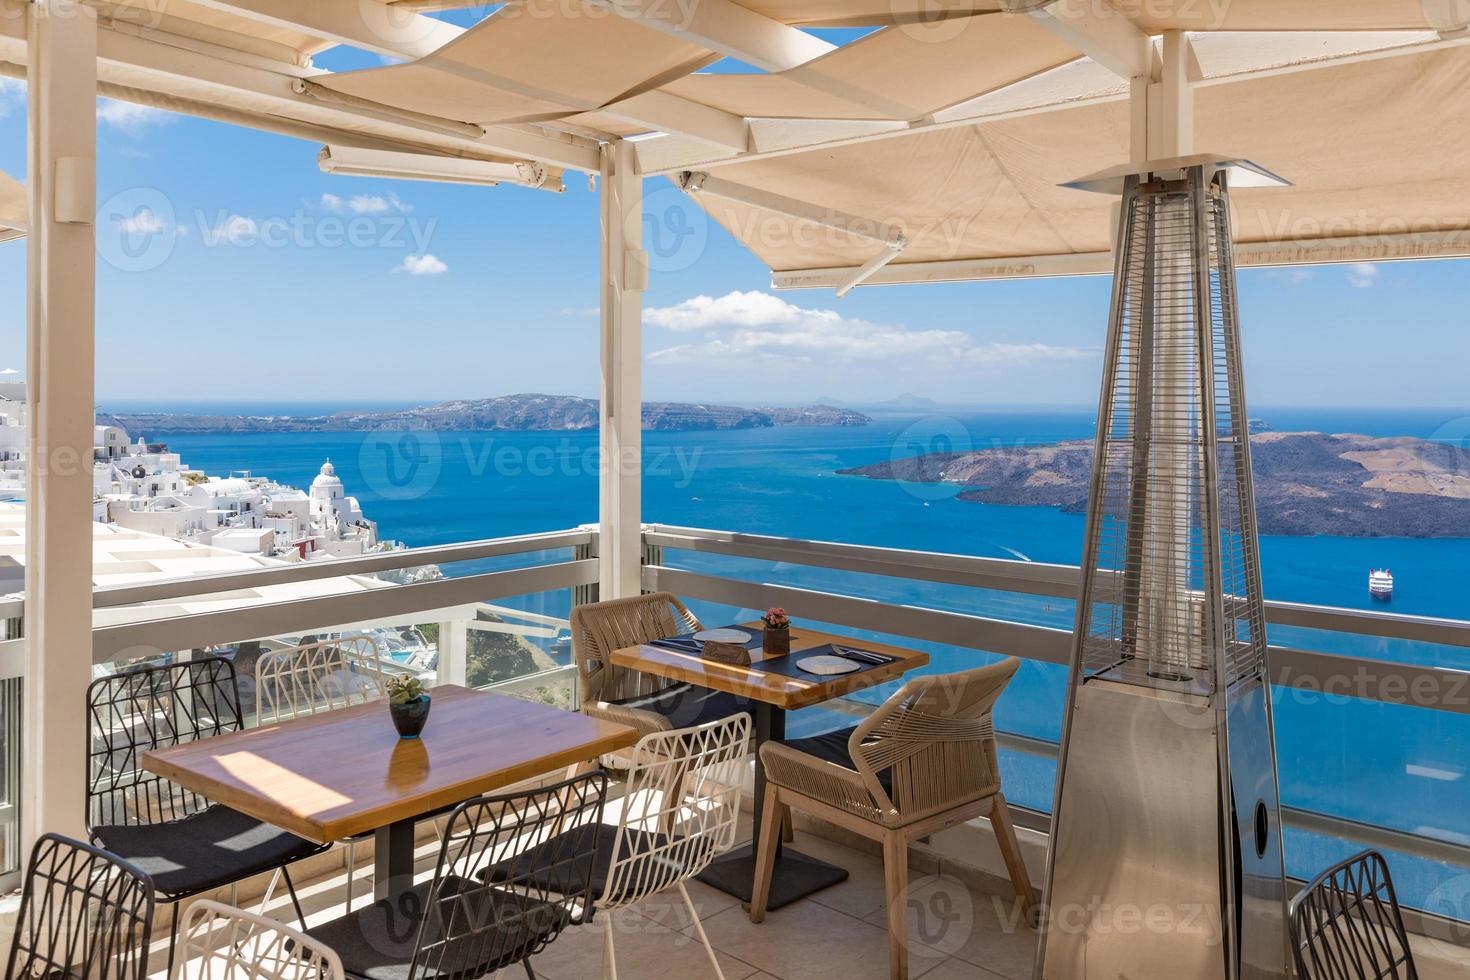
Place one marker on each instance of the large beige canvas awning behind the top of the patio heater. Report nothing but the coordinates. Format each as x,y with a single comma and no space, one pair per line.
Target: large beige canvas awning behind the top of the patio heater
1372,148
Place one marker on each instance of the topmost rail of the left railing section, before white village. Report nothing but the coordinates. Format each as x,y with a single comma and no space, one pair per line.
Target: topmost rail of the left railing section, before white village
337,568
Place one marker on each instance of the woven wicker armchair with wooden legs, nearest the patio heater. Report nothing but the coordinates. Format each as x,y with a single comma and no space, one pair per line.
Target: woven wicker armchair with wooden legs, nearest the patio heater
921,763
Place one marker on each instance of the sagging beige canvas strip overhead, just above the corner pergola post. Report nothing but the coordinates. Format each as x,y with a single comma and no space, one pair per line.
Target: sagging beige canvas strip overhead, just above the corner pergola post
530,62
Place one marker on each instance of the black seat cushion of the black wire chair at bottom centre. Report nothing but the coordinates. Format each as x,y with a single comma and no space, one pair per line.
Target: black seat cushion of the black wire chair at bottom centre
493,928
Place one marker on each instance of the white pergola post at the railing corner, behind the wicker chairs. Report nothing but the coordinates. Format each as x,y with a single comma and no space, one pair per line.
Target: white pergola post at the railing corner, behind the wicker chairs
625,275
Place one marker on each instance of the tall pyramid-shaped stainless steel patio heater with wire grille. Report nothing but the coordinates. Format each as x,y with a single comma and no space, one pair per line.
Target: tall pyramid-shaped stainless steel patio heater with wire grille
1166,851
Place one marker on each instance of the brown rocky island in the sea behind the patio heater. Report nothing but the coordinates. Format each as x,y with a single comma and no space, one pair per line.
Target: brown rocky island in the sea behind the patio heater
1306,483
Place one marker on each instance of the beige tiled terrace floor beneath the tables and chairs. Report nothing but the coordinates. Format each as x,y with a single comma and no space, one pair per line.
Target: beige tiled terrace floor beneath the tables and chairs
839,934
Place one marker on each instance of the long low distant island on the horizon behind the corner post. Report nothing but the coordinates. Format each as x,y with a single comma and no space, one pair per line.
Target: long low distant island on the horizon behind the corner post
556,414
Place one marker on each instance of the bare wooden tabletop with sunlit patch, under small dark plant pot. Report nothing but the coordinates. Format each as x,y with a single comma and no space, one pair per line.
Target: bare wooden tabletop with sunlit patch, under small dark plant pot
339,774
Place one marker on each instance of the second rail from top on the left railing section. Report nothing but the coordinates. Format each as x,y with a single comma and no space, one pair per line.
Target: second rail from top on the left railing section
268,619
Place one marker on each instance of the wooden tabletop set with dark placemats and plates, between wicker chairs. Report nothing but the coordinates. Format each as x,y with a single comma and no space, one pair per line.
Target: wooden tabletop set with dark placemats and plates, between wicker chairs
777,690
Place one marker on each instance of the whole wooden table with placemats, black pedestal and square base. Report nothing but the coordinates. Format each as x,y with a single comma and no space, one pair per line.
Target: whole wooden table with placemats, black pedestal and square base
796,875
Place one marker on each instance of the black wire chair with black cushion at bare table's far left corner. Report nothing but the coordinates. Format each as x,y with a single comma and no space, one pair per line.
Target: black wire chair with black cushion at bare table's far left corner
187,844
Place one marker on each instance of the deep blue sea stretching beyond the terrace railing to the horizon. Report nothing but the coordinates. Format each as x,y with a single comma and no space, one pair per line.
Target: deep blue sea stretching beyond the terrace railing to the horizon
1403,768
